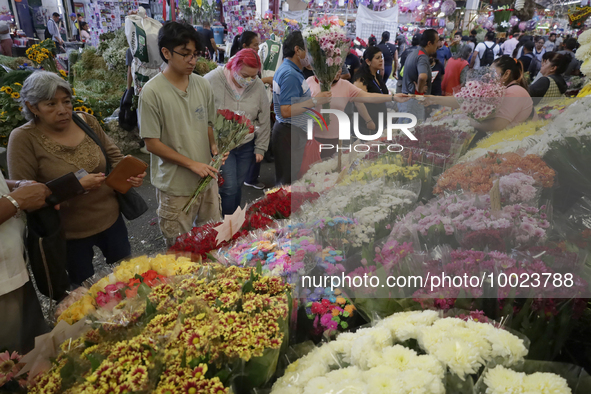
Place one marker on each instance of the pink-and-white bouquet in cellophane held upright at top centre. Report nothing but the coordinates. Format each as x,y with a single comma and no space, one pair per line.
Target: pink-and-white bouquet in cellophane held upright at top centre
327,46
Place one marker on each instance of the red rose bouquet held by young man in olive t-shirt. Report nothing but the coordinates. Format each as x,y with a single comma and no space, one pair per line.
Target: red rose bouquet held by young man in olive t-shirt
230,130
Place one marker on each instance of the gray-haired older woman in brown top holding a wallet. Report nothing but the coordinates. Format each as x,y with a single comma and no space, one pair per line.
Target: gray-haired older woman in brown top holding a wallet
53,144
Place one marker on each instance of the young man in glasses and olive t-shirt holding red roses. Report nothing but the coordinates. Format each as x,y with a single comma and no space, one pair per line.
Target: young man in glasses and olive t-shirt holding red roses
177,111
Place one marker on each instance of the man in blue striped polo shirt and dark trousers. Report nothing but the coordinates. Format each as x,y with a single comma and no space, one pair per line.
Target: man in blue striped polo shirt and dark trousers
291,97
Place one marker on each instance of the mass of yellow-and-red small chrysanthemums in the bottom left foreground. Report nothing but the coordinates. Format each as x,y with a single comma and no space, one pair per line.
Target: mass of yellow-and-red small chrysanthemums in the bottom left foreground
194,334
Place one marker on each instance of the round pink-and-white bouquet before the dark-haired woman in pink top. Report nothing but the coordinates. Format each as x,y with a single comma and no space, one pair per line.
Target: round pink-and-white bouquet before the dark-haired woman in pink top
480,97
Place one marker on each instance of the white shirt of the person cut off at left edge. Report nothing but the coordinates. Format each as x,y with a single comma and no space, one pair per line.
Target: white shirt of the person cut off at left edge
13,270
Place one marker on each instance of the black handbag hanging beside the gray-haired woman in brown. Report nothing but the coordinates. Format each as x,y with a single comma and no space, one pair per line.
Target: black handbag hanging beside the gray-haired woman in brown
47,250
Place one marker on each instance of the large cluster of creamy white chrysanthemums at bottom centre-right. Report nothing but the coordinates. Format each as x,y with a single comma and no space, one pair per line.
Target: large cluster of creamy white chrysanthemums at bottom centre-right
372,360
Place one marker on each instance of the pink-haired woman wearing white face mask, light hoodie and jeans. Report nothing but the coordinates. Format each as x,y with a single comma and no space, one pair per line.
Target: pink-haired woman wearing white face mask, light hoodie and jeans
239,89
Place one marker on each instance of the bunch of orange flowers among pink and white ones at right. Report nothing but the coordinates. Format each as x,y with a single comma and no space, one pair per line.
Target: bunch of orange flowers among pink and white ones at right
477,176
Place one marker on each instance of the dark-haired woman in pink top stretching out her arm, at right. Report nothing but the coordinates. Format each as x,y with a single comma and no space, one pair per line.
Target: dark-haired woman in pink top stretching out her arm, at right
516,105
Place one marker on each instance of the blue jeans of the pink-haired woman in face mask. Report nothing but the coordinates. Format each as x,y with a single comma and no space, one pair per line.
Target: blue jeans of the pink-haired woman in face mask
234,172
